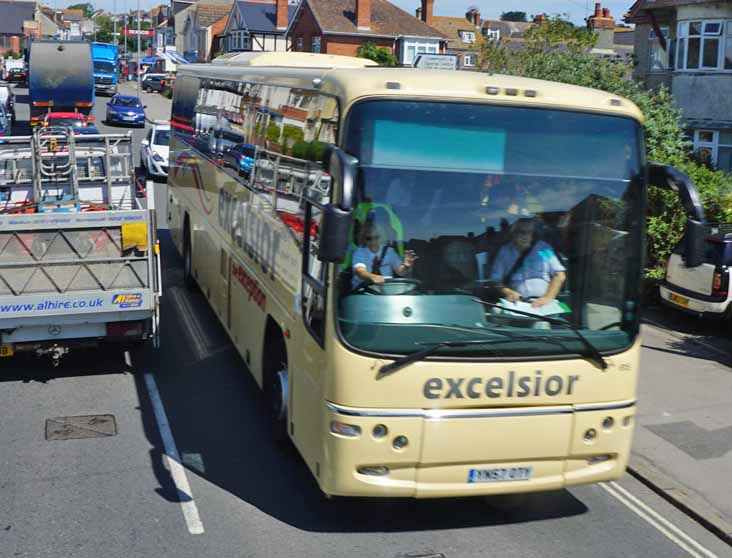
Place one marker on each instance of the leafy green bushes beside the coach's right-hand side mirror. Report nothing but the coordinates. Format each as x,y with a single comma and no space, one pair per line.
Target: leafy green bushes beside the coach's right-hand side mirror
558,51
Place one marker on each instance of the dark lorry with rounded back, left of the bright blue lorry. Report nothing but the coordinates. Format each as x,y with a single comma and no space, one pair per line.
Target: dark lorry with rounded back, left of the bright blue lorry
61,78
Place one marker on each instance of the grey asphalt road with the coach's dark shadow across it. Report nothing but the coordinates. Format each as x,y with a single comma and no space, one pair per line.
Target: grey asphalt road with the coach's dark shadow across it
118,494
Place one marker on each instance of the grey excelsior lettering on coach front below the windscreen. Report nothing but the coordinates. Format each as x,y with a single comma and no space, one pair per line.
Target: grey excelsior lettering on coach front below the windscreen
497,386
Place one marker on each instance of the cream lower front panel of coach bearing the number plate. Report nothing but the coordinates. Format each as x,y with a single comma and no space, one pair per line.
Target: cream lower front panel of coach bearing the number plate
458,452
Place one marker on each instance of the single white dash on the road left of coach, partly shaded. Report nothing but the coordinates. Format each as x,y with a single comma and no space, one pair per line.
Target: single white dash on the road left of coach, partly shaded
177,471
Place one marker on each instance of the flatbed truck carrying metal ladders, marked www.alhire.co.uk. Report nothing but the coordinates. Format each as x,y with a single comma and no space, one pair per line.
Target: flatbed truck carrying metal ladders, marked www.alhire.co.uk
79,255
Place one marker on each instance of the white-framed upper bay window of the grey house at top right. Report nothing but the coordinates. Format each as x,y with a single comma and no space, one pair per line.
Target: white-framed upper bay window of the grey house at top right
704,45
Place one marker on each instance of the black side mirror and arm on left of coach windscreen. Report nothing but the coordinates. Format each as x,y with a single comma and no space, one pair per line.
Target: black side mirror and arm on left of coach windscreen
335,224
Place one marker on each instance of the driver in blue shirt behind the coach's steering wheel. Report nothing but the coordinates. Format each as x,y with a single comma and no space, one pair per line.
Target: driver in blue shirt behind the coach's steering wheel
374,261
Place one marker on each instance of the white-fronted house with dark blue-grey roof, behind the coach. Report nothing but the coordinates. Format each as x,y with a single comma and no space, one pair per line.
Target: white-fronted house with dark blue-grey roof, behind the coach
256,26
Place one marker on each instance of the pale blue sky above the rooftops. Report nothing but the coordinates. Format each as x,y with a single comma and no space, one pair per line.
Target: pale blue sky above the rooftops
489,9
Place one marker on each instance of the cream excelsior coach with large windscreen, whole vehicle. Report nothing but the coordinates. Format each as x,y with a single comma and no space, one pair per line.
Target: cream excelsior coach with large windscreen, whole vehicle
434,276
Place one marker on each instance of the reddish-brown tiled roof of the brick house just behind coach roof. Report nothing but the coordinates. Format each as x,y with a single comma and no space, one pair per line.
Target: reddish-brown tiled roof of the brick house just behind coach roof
339,16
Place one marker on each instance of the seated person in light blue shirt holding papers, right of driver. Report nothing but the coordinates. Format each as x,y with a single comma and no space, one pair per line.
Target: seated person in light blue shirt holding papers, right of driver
528,268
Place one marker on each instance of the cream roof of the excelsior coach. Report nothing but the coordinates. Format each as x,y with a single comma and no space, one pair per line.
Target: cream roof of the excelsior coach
351,79
